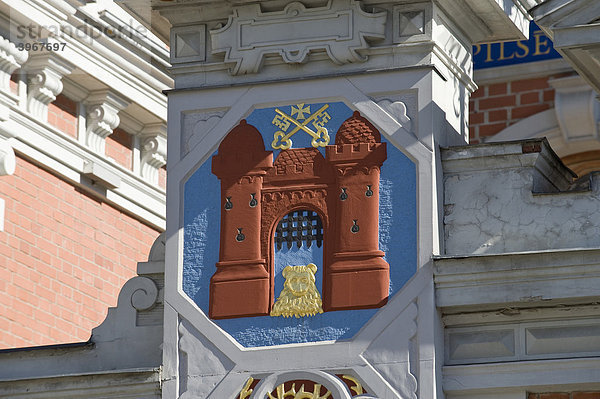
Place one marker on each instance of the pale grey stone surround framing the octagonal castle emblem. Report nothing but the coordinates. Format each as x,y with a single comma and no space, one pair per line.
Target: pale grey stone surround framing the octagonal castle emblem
357,92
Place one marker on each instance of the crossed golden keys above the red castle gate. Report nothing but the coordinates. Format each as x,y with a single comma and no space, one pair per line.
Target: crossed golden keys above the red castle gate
282,140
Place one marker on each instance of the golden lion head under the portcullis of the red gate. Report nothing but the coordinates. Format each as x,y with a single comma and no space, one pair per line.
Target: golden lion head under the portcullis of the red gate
299,296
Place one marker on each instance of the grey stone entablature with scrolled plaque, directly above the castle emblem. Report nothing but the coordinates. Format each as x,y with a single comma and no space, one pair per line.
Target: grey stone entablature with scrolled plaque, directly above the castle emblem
206,52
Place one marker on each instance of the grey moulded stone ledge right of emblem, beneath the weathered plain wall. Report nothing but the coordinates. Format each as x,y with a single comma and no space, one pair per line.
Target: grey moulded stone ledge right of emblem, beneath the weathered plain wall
516,279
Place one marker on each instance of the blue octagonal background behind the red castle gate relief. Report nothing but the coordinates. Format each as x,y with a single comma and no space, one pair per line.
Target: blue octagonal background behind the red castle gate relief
397,238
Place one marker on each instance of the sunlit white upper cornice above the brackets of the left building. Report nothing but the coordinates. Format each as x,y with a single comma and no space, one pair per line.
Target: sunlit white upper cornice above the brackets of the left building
118,65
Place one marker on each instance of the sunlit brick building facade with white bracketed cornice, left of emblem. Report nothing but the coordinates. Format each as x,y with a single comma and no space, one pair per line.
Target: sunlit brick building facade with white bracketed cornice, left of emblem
83,138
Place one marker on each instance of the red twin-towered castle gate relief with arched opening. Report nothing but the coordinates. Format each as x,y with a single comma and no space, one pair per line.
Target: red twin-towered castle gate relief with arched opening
342,188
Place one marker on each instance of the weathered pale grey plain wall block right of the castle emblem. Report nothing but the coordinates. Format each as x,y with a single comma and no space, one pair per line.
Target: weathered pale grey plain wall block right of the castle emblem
498,199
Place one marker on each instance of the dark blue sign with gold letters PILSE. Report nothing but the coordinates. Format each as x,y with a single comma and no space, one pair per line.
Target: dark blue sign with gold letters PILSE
539,47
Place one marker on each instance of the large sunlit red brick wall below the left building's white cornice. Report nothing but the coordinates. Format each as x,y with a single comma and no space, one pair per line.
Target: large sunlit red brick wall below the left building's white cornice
64,257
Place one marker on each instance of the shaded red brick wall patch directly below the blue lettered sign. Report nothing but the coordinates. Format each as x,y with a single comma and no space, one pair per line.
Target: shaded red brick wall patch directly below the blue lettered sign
496,106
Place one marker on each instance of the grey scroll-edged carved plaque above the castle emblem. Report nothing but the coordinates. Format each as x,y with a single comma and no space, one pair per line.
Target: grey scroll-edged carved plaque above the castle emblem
341,29
